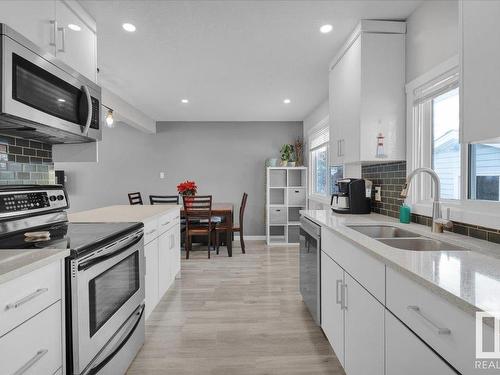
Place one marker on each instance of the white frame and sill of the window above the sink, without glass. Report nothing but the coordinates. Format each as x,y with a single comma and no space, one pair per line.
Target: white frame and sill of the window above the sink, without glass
419,154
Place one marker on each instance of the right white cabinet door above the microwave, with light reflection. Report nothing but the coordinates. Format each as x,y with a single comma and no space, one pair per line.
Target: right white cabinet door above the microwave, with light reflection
77,48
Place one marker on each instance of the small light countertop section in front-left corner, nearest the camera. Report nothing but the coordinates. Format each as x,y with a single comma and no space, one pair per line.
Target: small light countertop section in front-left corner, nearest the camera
15,262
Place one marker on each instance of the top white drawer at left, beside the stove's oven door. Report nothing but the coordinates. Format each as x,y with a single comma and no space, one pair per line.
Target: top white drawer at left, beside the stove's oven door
29,294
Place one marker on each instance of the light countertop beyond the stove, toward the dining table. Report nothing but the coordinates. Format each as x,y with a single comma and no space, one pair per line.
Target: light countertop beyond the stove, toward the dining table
122,213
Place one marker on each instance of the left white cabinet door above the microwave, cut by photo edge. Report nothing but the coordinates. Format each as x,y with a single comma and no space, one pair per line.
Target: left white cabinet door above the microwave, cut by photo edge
32,19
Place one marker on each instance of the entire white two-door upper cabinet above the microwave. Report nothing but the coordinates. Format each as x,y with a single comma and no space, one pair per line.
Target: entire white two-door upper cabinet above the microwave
47,24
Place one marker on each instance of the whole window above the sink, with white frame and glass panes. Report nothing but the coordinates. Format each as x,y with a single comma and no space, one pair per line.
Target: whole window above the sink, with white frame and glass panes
469,173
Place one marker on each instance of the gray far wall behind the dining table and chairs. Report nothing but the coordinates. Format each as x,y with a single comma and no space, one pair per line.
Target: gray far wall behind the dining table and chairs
225,159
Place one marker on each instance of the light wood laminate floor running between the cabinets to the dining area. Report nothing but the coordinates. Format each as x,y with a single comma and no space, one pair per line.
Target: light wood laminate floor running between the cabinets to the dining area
236,316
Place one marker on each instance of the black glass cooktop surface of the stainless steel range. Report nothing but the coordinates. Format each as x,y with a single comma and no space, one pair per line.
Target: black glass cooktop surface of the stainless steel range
78,237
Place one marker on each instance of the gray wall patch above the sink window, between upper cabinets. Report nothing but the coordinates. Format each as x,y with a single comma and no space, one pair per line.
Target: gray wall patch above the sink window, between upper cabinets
431,37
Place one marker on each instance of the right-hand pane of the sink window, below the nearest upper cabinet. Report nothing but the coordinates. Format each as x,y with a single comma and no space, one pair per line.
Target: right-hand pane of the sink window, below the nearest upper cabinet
484,171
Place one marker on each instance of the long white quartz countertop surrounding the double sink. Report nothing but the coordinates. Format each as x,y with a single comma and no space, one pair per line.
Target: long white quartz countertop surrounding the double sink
468,279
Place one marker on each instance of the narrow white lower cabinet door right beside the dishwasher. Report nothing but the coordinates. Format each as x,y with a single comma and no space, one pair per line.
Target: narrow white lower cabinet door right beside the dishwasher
332,315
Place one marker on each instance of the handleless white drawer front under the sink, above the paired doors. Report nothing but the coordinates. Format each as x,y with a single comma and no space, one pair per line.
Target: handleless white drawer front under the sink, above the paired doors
367,270
